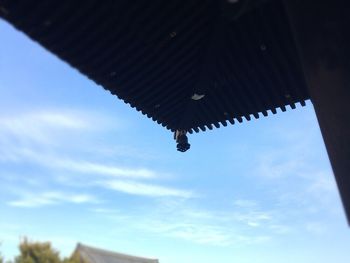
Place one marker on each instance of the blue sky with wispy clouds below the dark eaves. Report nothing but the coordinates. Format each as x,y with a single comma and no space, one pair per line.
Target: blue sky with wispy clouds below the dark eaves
77,164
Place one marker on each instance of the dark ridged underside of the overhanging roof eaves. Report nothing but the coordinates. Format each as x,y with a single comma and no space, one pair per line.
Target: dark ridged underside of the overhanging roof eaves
156,54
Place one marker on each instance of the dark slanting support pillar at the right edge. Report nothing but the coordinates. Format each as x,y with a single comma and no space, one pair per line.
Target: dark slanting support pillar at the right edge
322,33
